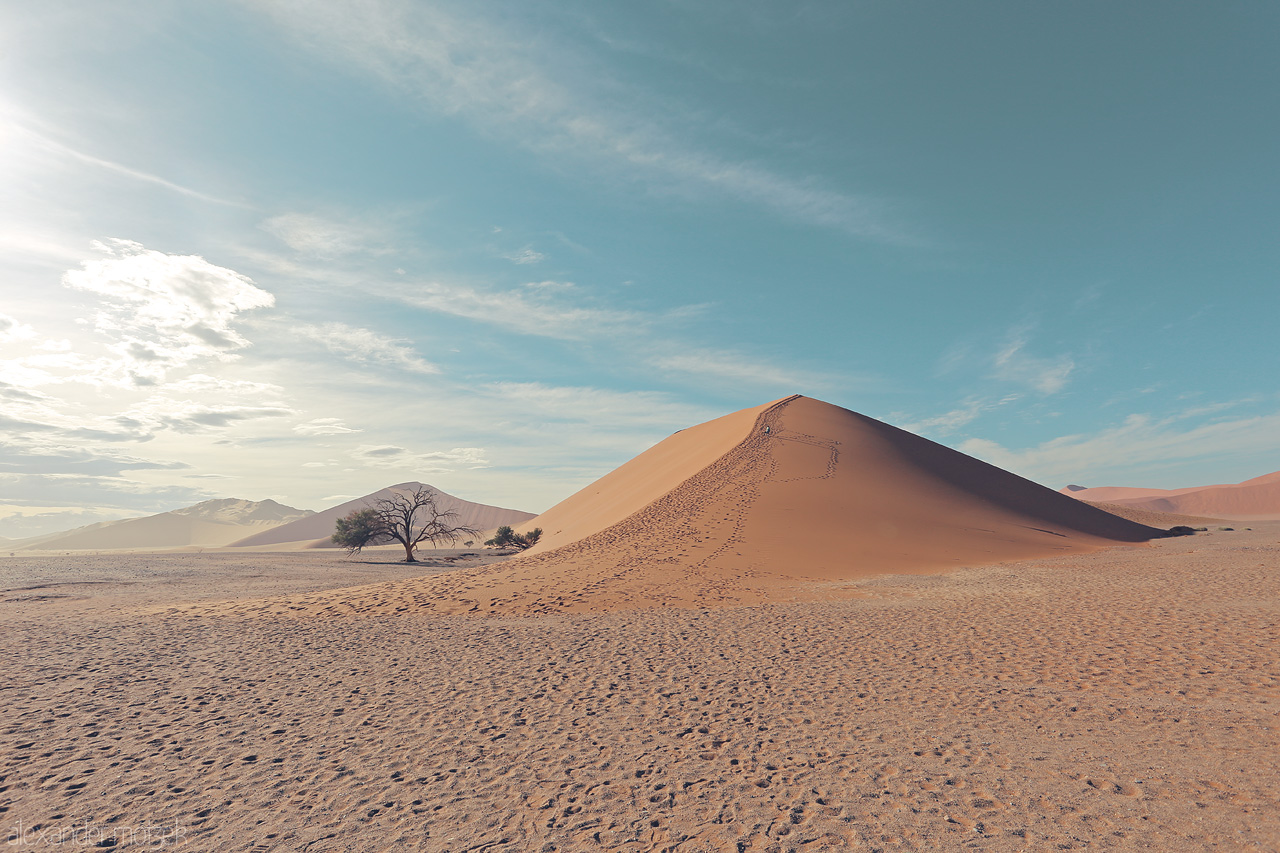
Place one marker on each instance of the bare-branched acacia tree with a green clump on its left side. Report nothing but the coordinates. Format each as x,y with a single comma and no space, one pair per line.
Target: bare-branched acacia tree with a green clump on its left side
408,518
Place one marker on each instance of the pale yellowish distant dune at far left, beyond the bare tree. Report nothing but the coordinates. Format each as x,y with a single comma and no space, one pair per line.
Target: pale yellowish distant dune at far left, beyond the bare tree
207,524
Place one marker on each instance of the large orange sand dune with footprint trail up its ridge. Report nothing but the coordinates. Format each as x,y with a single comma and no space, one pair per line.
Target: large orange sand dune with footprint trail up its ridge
776,503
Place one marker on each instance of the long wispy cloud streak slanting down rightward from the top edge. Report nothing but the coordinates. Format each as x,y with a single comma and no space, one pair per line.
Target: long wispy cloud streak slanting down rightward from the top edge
463,65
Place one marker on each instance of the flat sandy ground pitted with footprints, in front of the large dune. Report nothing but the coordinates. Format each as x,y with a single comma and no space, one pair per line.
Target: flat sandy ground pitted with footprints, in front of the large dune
1122,700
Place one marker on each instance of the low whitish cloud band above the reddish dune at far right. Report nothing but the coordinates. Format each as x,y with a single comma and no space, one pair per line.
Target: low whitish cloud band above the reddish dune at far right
1140,443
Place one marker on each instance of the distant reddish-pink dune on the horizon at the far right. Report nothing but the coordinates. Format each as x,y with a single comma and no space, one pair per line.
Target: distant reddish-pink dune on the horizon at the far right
1258,499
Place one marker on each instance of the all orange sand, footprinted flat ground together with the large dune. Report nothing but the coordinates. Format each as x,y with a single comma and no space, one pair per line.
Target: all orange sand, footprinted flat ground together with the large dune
789,630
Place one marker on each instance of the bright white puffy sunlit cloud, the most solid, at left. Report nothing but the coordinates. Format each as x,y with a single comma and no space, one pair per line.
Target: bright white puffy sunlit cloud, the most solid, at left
164,312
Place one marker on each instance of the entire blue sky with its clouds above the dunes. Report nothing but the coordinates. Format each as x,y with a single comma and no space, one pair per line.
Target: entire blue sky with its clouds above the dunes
304,249
